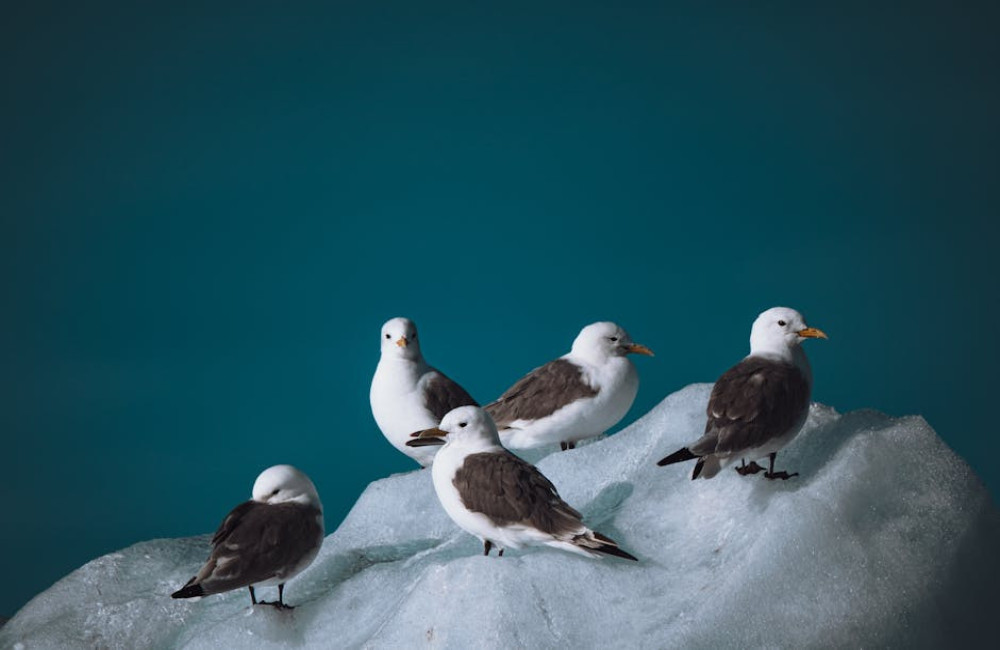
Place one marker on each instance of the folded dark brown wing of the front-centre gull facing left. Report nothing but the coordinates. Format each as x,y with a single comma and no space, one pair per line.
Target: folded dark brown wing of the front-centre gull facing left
510,490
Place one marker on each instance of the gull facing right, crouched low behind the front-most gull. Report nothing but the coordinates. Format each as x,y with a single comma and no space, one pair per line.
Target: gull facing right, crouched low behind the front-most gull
579,395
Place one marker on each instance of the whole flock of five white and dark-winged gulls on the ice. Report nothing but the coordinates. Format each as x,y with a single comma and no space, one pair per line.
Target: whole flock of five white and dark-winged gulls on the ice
755,409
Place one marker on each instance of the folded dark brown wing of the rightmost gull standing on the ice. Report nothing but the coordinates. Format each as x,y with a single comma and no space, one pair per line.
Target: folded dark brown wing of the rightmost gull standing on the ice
752,402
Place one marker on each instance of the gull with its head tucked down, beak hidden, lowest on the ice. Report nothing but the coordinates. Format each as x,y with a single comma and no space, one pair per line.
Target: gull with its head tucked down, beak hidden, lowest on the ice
265,541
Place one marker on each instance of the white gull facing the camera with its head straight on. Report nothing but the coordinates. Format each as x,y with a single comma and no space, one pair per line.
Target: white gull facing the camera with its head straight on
407,395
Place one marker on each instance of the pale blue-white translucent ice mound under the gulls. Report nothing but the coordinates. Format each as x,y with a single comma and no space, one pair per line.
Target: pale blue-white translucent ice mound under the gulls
885,538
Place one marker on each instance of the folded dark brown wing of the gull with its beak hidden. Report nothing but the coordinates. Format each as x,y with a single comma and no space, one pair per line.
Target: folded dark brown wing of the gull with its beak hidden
256,542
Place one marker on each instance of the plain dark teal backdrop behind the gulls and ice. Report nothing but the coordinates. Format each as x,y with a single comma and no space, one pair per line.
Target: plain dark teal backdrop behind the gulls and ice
208,211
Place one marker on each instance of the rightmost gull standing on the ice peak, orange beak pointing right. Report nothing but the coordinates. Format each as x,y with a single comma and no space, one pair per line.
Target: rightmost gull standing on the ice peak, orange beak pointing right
758,405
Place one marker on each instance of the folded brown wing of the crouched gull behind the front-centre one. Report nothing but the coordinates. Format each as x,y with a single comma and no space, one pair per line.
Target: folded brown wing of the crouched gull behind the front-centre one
540,393
